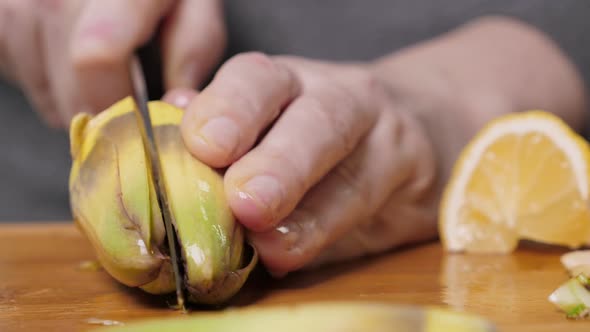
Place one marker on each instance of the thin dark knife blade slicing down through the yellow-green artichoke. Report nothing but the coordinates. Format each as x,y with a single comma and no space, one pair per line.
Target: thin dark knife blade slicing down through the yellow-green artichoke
139,94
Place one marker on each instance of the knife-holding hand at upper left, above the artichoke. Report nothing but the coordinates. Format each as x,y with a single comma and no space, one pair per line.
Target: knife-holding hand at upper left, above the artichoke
71,55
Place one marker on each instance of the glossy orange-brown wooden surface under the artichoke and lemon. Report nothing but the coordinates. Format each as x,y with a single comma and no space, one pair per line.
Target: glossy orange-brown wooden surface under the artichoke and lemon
42,286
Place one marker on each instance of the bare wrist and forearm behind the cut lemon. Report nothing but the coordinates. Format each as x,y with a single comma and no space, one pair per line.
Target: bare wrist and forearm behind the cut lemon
456,83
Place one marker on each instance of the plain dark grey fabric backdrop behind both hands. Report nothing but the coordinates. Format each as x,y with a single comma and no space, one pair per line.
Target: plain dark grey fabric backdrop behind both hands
34,160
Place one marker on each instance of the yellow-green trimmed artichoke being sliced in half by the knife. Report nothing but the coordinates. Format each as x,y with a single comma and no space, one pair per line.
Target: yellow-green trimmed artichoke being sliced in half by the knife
113,201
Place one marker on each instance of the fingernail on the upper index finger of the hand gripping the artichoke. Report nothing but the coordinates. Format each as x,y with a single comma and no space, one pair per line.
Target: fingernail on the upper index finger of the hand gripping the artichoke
221,132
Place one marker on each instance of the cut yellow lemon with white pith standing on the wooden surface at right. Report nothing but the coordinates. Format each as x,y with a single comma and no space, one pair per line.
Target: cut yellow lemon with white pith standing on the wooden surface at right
524,176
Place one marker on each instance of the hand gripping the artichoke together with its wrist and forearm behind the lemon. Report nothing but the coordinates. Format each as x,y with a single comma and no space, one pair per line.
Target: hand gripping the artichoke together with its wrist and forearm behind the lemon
334,161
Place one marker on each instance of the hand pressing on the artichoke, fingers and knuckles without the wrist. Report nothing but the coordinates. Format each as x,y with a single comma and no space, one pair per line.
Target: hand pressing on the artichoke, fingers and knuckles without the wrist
324,164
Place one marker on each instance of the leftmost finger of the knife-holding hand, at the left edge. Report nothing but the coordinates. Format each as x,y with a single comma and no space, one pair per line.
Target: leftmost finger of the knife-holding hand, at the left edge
22,55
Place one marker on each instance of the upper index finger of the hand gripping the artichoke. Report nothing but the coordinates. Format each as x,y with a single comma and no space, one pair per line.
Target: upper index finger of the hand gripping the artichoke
227,117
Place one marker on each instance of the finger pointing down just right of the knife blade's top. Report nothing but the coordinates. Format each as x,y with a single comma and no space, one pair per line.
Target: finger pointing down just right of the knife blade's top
194,39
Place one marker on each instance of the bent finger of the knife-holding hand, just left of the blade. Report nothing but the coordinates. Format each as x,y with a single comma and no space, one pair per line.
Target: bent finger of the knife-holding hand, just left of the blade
104,38
